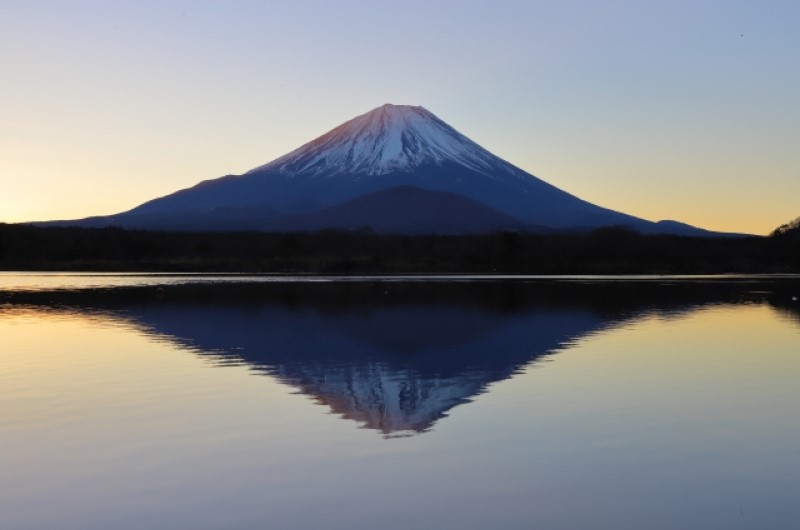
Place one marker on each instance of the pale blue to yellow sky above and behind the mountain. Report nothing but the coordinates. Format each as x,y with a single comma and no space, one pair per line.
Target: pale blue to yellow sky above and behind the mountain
686,110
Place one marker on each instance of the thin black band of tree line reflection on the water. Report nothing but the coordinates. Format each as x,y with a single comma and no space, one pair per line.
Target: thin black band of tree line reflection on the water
492,295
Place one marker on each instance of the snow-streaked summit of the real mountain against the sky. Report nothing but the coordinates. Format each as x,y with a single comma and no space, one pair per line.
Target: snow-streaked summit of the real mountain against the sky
386,139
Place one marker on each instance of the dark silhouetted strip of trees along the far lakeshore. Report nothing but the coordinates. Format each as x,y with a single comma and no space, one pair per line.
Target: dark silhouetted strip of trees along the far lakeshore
607,250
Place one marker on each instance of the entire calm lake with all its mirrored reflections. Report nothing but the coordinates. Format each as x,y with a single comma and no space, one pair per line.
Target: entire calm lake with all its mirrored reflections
175,401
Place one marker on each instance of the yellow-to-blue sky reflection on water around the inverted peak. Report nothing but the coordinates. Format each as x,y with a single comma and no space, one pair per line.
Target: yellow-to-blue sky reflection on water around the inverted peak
663,422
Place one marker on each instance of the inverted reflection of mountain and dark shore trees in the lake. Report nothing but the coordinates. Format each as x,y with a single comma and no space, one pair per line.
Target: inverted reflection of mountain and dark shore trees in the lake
392,356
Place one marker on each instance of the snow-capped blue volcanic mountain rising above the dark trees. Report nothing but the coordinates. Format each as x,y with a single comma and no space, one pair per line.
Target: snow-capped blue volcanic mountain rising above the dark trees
395,169
